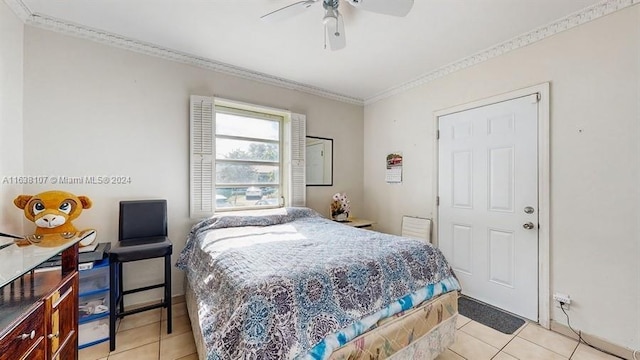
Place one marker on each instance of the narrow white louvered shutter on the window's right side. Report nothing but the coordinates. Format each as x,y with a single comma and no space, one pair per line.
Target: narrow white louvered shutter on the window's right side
298,191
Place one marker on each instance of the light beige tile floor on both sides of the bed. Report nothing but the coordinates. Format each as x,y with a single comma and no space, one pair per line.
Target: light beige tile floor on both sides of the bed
144,336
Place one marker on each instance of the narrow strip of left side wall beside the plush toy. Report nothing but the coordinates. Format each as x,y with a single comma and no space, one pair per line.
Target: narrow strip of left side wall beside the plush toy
11,86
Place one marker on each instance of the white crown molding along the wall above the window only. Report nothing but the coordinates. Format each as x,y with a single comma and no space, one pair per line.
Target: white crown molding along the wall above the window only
104,37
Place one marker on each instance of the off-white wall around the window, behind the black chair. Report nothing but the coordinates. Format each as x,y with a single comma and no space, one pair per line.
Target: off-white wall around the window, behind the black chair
92,109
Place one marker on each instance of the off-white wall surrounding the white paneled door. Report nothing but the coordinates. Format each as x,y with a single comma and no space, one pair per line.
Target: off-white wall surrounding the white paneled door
594,71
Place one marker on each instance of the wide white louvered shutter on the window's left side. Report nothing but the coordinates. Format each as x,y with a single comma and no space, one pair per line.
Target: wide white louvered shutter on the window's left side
202,155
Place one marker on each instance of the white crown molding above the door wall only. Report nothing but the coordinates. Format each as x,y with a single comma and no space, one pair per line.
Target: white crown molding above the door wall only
585,15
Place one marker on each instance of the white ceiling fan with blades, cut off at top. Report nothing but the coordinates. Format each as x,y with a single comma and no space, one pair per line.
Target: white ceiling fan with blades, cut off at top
332,20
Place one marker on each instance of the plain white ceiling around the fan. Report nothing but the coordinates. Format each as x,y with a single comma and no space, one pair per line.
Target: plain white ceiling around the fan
382,51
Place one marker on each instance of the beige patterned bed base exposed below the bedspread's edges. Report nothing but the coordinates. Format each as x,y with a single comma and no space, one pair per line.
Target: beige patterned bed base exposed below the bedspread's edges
421,333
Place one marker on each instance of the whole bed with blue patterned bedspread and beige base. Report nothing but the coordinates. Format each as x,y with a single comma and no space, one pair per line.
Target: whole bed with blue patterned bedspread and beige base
290,284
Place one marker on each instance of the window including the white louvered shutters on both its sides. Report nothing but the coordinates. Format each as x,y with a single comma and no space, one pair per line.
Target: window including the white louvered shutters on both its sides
244,157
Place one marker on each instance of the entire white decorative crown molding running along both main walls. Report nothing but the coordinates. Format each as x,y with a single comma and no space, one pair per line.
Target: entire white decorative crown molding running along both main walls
585,15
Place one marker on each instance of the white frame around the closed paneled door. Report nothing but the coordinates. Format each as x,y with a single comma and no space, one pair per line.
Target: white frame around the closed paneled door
544,286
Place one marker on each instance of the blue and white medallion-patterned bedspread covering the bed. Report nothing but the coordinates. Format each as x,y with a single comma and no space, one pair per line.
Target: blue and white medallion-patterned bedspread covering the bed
274,286
